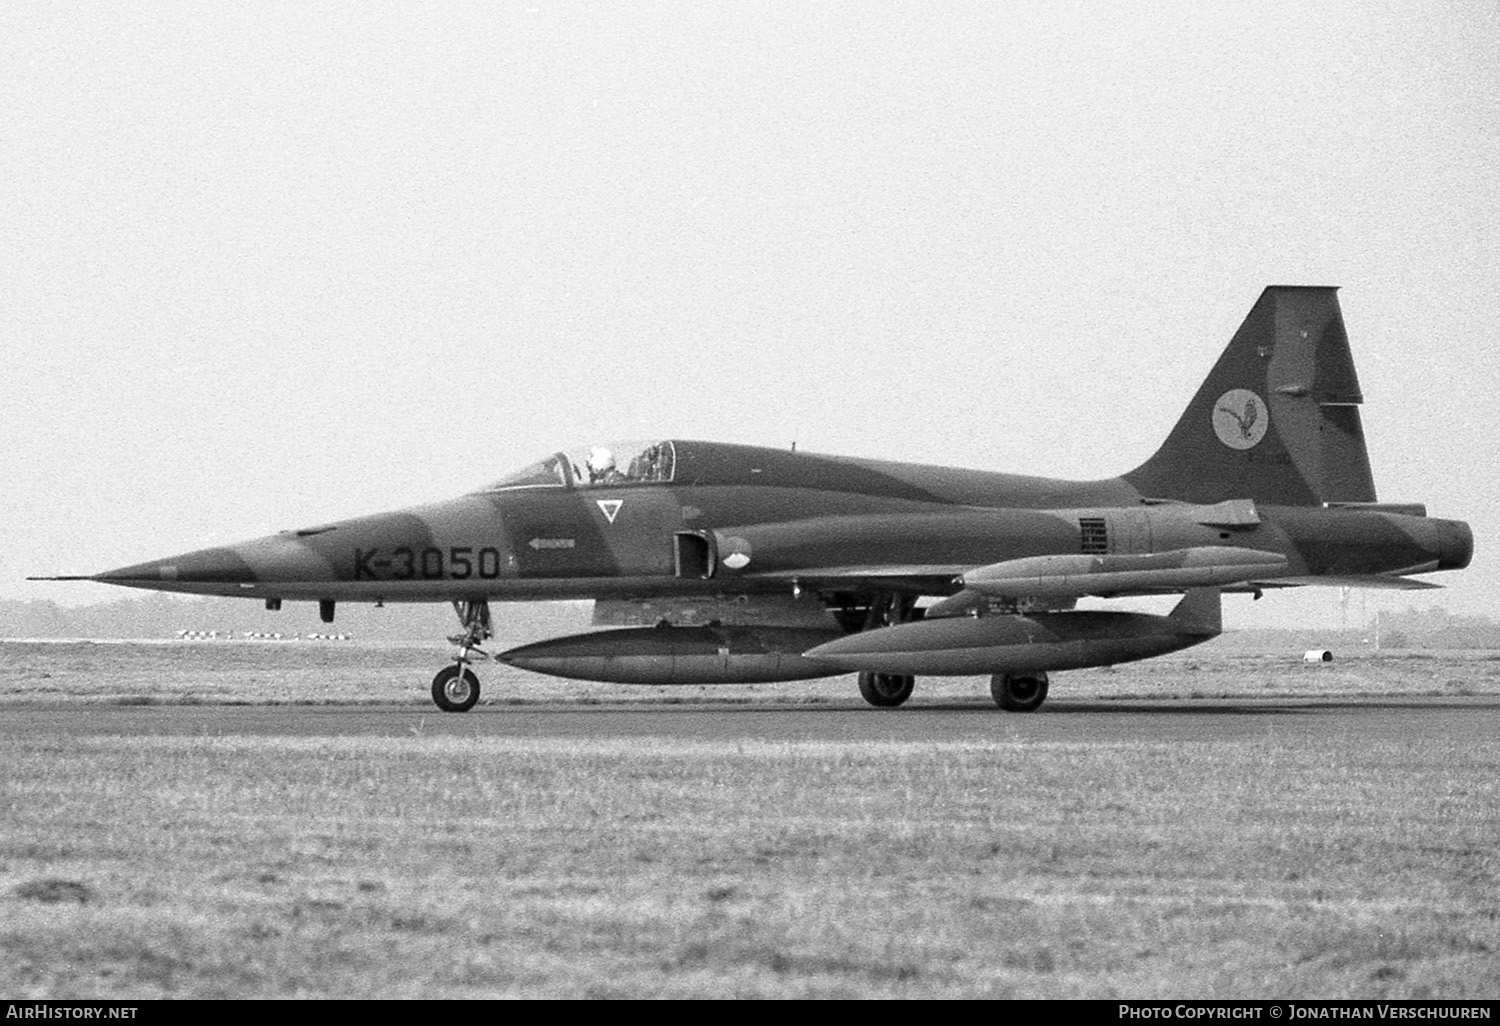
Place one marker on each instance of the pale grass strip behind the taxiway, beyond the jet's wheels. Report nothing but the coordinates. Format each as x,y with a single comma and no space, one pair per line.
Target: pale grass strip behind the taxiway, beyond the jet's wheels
350,674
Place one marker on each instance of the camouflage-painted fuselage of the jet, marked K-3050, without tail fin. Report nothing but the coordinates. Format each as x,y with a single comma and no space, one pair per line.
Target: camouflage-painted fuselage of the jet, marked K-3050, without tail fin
751,520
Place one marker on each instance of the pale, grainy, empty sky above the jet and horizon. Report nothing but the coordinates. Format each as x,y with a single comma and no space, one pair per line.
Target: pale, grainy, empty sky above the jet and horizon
269,265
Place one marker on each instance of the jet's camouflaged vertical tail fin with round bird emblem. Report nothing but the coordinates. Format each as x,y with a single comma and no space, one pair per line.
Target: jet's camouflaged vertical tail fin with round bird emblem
1277,419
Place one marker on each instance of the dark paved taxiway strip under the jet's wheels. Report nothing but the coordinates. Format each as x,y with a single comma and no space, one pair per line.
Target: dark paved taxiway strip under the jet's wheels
1061,722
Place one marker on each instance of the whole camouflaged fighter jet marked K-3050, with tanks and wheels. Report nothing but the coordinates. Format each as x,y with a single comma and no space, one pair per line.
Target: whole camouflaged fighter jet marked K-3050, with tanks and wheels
716,563
